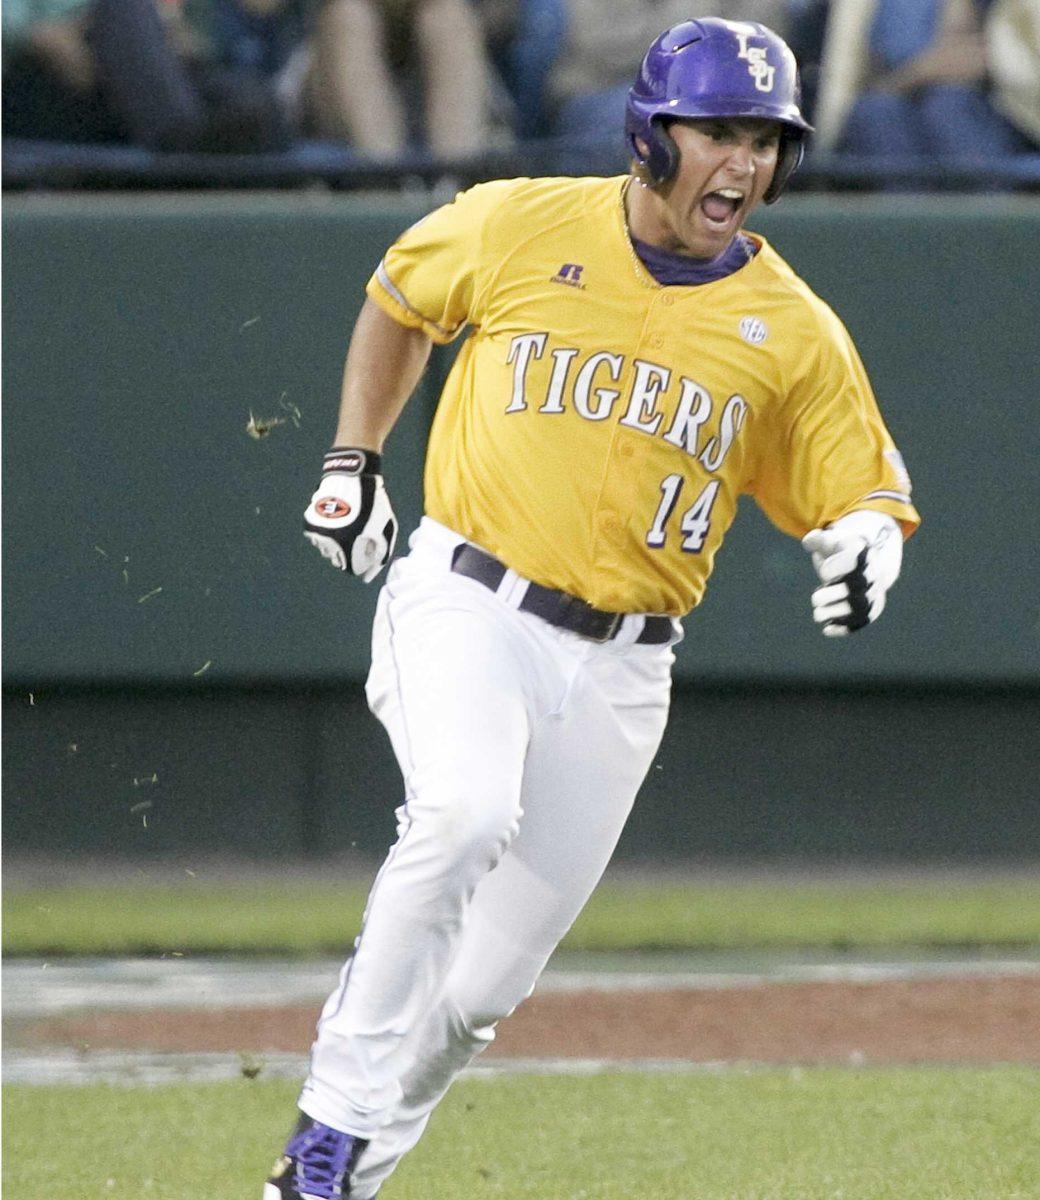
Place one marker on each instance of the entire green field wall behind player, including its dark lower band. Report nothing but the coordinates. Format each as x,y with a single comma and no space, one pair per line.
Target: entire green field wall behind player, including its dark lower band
164,615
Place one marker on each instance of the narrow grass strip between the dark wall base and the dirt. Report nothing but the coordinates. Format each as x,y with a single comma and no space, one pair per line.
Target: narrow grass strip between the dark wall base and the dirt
306,920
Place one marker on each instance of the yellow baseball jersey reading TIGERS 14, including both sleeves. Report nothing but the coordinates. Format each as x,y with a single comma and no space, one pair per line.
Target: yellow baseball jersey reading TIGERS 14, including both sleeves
598,429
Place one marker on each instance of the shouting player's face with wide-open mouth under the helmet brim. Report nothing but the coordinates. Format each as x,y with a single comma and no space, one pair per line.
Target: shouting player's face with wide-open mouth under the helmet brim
725,167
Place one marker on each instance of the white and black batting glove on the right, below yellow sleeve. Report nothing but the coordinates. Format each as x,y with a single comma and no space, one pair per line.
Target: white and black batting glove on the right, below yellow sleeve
858,560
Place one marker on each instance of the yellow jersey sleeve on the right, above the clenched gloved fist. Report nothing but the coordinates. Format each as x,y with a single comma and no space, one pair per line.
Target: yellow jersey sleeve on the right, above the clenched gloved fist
829,452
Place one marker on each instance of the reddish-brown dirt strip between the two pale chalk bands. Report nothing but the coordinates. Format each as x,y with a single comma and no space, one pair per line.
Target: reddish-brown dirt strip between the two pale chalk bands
981,1019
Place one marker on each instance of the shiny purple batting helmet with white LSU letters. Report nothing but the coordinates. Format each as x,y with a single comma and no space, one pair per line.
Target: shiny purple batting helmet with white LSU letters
714,68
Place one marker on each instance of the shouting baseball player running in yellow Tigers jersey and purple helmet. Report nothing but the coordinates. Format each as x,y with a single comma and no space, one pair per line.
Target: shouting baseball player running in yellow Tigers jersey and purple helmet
635,362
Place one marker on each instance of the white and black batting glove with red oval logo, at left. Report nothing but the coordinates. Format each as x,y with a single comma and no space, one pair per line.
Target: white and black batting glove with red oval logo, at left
350,519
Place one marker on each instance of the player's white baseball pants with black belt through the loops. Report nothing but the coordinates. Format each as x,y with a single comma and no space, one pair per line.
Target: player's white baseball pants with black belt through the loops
522,748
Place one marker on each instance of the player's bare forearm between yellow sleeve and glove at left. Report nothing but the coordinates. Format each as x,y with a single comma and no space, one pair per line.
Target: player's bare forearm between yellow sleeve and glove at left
384,365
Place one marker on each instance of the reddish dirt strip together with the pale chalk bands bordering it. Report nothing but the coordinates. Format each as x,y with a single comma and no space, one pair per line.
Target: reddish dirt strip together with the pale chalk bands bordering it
851,1013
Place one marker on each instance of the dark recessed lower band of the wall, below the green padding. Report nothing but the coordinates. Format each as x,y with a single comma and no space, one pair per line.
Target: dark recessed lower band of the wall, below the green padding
746,775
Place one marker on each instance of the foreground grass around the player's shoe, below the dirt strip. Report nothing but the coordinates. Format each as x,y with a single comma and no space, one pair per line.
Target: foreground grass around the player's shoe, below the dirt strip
780,1135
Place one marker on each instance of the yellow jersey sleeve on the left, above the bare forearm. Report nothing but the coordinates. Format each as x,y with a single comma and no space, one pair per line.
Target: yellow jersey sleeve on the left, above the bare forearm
431,279
